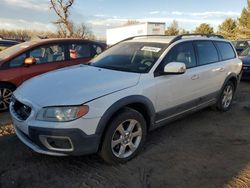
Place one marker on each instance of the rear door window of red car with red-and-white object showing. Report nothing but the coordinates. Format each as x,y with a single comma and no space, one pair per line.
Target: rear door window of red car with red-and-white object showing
79,51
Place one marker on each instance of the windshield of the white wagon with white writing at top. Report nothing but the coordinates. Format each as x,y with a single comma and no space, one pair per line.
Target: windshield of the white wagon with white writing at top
138,57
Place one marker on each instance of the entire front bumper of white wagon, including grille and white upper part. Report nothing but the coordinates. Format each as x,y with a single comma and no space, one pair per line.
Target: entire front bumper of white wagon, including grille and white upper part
76,137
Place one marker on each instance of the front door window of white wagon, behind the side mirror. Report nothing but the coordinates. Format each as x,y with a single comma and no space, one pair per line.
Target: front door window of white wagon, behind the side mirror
184,53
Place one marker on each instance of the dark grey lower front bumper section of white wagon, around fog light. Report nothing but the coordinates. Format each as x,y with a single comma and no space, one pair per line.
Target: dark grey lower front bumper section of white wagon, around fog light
78,143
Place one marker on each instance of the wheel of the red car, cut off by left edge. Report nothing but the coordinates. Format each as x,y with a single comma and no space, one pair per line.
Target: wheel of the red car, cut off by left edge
6,91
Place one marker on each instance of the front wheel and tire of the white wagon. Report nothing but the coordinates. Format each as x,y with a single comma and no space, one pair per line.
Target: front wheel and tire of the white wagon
124,137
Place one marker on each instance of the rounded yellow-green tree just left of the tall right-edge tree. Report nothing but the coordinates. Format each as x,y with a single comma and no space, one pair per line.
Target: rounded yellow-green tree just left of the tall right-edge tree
228,29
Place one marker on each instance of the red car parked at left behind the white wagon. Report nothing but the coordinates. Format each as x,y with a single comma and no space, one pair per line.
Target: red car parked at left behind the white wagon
28,59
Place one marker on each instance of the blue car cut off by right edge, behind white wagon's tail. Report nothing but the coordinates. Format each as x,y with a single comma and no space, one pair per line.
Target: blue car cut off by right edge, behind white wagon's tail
245,58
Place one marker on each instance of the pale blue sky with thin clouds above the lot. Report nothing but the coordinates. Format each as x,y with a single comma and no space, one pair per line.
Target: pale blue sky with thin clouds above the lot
100,15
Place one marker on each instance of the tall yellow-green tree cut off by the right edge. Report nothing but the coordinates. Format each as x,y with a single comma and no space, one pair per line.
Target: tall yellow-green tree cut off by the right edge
244,22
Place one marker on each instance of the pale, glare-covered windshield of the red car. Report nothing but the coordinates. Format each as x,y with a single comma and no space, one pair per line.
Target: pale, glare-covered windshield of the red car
14,49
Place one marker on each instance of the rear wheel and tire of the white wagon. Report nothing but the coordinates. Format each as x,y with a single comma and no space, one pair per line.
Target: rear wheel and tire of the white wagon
226,98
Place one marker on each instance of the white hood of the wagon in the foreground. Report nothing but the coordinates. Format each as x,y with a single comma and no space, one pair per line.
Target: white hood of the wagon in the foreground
74,85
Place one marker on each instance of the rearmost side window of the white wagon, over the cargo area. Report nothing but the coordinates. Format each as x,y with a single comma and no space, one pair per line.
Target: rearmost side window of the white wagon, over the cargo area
226,50
